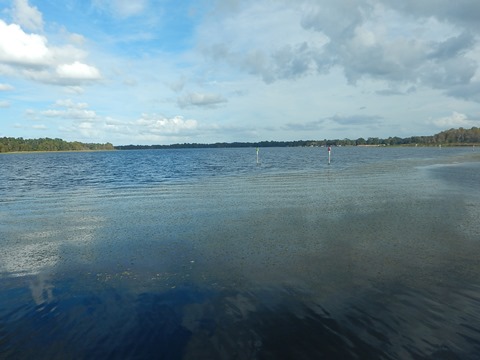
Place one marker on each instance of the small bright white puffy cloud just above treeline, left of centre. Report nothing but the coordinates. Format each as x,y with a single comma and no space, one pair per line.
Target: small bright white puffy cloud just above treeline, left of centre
161,125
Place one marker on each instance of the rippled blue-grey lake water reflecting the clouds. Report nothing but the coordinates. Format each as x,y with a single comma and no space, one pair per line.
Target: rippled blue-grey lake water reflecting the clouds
204,254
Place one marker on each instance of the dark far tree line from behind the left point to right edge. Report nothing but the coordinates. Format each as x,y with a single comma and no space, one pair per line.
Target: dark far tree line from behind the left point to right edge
452,137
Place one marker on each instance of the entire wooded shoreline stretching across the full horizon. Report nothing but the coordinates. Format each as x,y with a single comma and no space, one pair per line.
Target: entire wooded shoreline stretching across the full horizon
452,137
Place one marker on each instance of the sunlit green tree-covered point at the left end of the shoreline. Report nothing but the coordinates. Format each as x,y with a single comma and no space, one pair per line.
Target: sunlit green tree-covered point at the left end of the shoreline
10,144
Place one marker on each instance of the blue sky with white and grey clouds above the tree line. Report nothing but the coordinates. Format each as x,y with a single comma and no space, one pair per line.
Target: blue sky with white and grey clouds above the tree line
205,71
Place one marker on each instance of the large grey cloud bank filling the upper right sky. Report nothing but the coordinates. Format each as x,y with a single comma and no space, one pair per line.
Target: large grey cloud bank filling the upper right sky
408,42
